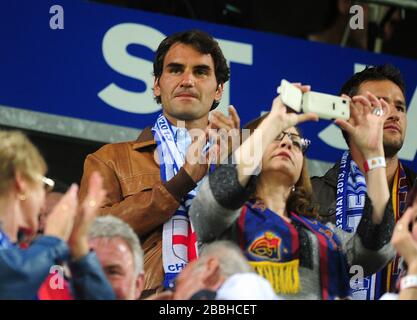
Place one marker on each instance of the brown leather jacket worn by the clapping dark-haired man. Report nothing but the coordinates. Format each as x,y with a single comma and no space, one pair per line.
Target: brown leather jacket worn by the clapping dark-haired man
136,195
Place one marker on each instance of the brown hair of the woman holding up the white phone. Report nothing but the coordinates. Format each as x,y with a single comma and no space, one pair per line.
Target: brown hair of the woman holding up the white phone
300,201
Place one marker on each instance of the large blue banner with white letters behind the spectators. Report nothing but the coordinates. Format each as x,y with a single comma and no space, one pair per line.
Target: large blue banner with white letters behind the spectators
88,61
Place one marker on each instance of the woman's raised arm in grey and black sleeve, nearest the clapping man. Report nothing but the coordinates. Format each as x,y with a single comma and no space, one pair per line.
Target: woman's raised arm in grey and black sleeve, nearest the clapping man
222,195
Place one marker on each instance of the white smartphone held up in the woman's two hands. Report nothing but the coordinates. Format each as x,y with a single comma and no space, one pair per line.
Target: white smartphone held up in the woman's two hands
326,106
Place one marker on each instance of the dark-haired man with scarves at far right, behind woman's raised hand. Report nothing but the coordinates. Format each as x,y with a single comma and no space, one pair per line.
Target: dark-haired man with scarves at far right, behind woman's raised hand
341,192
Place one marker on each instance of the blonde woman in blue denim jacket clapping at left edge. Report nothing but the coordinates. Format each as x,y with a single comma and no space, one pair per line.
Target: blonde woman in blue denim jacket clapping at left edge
22,194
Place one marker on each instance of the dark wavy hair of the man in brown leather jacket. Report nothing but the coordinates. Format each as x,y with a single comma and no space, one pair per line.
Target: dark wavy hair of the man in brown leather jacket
203,43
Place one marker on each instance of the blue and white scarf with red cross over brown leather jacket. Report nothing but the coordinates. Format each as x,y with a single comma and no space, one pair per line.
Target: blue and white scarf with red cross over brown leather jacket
178,238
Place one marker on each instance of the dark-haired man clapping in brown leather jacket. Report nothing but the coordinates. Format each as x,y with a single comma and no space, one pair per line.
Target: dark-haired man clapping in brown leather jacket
190,71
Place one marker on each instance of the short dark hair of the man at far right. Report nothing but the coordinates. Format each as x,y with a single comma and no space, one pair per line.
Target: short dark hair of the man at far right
378,73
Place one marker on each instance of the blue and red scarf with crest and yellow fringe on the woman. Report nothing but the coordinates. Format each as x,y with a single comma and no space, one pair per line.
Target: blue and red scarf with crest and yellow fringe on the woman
272,246
